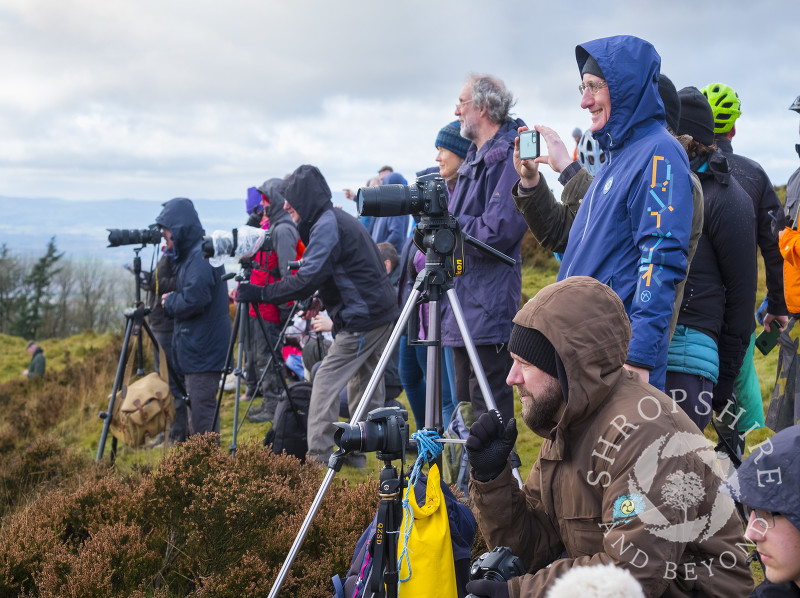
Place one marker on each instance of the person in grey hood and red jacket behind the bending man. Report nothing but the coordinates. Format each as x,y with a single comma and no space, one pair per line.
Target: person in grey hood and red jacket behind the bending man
268,268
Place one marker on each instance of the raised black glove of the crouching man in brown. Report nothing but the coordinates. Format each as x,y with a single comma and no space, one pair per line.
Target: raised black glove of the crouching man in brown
489,444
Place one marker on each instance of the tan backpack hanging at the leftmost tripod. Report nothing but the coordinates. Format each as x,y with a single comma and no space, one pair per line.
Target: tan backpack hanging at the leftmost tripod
144,408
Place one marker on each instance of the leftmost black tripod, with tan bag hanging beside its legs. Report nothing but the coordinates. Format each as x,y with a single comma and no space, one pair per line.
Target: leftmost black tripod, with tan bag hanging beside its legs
135,323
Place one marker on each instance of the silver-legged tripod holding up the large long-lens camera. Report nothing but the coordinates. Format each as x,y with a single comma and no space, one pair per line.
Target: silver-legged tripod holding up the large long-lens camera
440,236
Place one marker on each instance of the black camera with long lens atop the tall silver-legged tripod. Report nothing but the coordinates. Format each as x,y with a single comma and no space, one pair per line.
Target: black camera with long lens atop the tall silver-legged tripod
428,195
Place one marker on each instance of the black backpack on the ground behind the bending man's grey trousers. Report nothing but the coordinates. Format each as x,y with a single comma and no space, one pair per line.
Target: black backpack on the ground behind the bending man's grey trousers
289,425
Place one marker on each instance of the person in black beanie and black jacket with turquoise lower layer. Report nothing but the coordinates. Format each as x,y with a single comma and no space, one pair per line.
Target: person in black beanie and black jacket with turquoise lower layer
715,319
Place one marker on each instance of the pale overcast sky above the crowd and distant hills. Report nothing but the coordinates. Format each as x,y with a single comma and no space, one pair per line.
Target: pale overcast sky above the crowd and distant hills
152,99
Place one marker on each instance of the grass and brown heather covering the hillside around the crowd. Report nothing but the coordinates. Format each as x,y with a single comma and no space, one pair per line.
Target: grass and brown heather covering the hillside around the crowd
189,520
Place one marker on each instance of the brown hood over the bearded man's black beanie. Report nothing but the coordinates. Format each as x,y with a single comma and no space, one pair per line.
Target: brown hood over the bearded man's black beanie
587,325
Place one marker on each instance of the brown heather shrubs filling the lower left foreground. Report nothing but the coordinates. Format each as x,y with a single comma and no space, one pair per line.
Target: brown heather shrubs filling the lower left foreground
199,524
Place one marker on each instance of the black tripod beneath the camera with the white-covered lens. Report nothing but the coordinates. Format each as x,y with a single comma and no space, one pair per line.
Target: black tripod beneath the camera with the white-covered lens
240,330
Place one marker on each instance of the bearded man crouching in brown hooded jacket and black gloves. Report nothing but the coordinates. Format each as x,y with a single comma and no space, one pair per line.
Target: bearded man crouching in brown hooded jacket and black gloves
623,477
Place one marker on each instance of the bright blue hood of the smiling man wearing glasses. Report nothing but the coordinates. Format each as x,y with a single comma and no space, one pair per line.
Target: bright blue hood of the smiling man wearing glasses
631,67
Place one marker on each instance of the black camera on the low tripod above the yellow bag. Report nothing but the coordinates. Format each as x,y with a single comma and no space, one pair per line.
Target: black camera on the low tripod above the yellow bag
385,431
